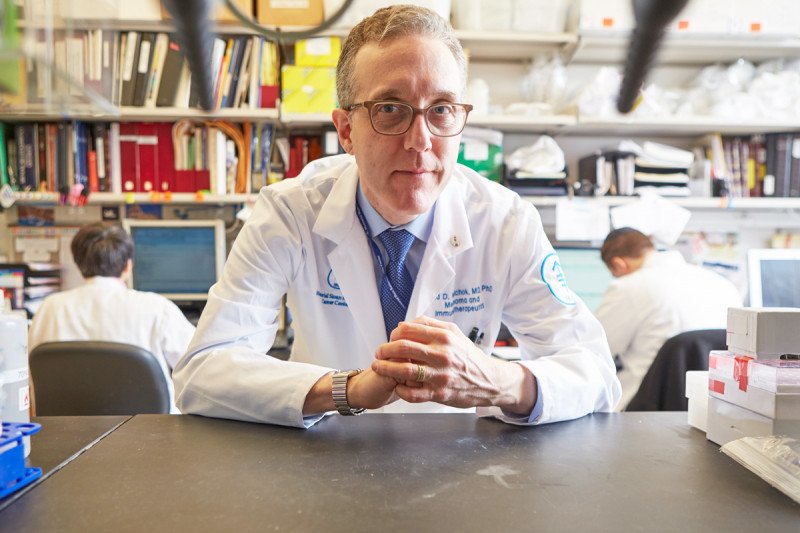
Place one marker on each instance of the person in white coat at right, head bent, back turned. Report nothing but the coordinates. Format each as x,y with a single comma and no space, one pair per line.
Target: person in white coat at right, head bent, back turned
655,296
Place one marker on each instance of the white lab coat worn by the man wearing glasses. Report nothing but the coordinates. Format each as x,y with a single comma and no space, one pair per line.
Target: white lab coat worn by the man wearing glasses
483,264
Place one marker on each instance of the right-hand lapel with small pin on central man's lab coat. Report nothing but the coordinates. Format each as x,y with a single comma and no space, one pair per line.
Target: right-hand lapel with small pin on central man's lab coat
450,236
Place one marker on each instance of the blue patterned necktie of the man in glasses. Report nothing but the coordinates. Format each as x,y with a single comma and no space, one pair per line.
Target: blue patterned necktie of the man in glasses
396,285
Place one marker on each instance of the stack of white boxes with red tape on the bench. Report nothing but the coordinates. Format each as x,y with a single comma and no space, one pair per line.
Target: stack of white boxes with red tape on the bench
754,386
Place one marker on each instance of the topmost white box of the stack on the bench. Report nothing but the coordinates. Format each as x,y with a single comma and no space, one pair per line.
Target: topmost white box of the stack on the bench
763,332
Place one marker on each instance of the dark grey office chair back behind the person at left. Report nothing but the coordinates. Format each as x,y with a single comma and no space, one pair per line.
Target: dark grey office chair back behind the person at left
97,378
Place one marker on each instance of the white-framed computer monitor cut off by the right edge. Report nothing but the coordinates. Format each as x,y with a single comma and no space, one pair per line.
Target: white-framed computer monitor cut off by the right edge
773,277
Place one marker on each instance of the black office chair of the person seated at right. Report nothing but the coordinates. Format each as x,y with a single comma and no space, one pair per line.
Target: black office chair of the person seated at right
664,386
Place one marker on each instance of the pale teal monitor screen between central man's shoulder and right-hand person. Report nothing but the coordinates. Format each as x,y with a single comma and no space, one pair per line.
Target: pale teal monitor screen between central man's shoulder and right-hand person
586,274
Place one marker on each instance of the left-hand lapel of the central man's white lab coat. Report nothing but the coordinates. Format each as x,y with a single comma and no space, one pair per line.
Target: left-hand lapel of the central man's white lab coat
351,259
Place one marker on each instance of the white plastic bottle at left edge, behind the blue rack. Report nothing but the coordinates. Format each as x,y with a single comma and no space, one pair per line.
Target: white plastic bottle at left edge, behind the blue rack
14,388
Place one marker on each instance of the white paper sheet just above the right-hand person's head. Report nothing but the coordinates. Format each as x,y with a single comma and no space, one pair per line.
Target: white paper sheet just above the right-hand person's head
653,215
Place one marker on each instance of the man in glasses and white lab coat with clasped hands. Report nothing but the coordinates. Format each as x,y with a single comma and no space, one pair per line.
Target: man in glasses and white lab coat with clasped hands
399,266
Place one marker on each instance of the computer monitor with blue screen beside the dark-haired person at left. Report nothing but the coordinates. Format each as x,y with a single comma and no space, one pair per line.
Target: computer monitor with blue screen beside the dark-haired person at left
179,259
